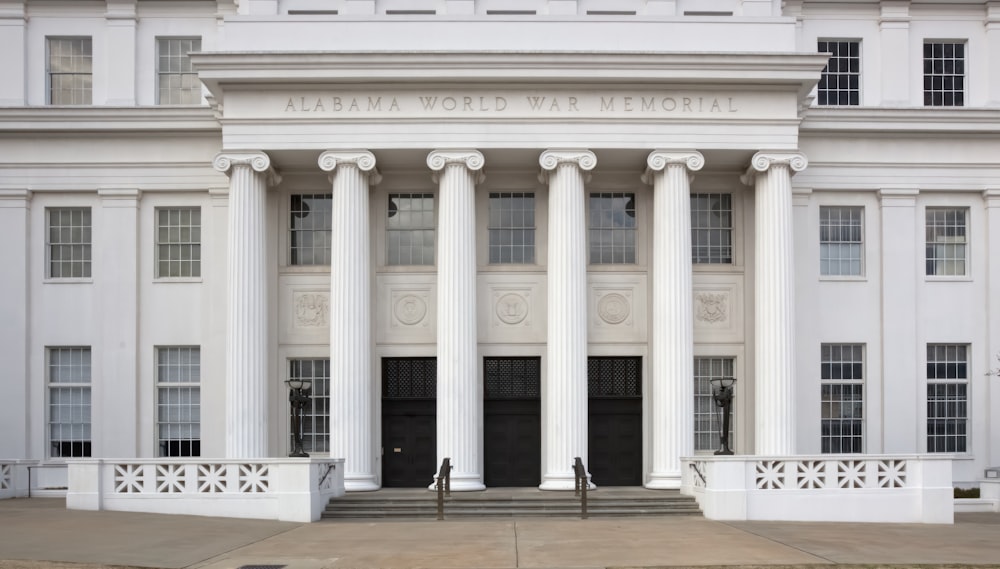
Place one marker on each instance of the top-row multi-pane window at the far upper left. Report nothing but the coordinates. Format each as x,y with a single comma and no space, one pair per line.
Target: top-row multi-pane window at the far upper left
70,71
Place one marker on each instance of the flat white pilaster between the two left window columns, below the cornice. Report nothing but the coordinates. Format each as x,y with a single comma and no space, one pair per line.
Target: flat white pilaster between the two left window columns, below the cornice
118,298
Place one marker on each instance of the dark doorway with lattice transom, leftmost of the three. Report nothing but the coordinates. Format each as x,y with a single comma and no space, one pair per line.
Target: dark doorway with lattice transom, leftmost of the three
409,415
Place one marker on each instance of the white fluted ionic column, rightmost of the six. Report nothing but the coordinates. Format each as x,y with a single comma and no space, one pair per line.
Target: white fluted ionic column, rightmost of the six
774,313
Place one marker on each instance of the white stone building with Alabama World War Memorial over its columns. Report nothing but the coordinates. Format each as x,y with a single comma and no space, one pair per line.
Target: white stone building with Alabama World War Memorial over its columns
508,232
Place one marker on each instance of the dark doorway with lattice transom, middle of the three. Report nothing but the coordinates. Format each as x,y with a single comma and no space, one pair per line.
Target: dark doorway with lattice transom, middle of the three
512,429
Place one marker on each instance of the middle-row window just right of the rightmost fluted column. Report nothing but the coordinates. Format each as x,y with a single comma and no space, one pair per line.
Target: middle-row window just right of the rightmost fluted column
841,237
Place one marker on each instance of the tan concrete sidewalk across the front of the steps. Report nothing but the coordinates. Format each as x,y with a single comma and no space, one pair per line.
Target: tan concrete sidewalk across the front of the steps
41,529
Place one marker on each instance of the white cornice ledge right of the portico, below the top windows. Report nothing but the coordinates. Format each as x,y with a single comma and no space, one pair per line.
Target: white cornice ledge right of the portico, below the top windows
911,120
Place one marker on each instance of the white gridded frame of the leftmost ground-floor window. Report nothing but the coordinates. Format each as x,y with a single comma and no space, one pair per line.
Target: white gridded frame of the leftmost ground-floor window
86,387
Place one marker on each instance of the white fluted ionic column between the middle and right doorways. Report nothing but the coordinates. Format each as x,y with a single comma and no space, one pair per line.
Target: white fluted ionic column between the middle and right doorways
565,415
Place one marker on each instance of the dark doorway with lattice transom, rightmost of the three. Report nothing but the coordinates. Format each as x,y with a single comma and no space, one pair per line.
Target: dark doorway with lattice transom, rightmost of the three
614,386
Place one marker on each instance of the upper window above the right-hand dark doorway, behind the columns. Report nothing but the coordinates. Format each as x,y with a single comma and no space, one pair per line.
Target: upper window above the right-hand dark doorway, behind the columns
612,229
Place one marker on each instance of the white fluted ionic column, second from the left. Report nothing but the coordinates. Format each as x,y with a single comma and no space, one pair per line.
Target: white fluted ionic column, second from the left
351,393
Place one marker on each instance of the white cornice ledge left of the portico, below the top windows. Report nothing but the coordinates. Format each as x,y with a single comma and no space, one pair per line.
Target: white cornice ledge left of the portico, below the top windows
99,119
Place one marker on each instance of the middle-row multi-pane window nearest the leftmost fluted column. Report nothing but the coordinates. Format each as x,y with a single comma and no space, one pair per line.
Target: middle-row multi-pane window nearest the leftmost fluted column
178,242
